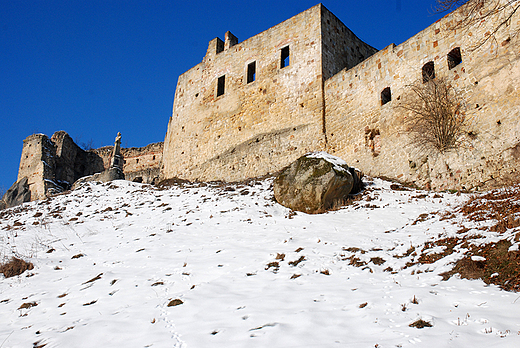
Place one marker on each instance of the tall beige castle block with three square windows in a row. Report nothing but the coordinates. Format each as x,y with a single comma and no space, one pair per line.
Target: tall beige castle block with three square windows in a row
257,127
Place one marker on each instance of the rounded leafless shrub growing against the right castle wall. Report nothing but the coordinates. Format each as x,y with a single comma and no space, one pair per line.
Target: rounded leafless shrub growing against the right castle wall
436,120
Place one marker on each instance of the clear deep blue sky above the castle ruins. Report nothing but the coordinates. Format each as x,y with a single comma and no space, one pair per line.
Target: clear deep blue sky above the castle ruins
93,68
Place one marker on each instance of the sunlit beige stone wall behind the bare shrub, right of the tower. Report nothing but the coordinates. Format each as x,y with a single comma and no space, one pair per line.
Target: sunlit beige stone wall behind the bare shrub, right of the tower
374,138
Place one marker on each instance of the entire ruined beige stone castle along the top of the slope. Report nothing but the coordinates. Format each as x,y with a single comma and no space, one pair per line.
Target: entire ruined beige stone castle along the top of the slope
309,84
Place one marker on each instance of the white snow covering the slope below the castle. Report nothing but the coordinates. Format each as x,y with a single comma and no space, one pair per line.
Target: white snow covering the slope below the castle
122,251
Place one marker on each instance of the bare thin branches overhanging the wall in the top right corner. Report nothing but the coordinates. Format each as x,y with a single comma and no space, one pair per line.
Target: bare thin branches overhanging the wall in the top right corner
476,12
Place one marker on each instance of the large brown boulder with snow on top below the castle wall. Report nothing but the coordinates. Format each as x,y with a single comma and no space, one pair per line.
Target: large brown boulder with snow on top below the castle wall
316,182
